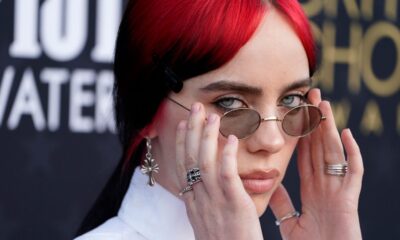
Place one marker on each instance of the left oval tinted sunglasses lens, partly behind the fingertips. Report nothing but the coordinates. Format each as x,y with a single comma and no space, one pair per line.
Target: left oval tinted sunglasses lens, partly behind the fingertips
239,122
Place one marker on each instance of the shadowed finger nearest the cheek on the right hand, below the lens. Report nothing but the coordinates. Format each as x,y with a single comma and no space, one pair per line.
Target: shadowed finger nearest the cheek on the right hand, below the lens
304,160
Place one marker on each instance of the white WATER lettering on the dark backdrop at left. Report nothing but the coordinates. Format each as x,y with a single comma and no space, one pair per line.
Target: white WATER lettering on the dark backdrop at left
89,104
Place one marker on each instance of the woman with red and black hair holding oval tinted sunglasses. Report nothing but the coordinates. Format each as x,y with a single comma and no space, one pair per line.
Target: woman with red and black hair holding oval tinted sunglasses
227,99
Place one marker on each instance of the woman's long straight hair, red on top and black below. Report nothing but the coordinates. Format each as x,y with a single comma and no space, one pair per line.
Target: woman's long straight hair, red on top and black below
191,38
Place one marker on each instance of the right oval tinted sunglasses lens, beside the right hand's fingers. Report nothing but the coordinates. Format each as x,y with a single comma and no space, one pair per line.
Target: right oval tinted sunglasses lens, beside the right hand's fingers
301,120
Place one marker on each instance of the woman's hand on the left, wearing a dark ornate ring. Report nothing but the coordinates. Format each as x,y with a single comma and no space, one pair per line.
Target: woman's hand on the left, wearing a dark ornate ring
218,207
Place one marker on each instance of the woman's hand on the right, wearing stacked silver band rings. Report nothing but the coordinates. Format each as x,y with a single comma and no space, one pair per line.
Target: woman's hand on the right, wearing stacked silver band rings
329,203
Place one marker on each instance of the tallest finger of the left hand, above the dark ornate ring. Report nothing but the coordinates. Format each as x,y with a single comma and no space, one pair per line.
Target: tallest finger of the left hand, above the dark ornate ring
193,135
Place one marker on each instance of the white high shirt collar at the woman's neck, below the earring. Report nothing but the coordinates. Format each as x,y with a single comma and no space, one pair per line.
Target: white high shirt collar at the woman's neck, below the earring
154,212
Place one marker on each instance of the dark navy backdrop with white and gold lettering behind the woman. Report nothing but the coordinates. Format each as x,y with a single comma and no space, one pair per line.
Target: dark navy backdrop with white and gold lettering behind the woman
57,138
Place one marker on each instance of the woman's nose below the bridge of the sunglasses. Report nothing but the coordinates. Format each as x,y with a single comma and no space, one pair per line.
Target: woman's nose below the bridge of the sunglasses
268,137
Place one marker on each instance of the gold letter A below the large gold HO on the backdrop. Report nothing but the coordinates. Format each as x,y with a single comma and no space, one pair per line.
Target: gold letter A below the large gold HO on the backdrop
371,121
